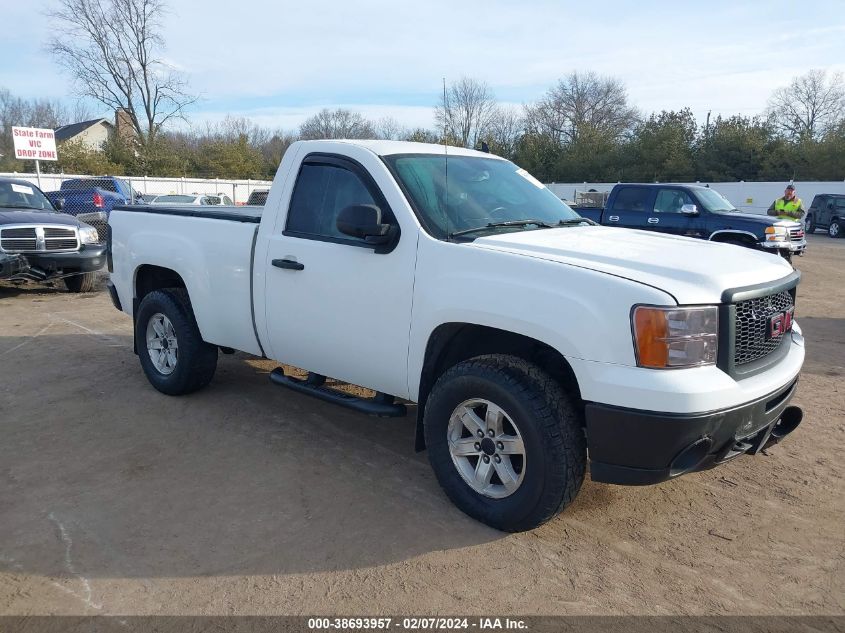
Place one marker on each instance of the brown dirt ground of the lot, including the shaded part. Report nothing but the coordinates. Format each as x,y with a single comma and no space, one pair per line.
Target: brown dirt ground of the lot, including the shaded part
246,498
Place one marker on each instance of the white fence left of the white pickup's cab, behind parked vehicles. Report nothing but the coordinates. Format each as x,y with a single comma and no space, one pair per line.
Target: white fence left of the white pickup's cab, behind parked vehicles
238,190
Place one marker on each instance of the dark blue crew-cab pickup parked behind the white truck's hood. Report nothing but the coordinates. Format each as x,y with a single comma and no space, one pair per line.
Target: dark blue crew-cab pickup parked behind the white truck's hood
695,211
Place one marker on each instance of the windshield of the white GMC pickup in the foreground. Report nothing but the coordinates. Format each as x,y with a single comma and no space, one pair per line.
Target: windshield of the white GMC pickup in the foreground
480,191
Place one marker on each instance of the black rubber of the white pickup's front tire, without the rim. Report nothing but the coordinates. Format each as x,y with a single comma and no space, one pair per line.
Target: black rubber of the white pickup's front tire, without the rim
551,429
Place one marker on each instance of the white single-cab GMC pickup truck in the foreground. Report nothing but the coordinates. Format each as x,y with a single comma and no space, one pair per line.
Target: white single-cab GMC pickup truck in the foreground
529,338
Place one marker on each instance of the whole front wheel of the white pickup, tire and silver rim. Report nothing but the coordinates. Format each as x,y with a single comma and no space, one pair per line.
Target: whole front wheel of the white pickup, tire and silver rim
505,442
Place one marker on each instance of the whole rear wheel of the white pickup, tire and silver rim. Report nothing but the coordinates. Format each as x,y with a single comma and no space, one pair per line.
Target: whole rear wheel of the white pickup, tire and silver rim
173,355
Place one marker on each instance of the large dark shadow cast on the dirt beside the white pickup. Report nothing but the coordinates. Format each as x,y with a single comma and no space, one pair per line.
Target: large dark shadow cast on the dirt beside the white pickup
105,477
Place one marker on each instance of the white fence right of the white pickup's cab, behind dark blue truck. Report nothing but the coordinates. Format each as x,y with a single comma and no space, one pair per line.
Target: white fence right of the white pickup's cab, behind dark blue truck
748,197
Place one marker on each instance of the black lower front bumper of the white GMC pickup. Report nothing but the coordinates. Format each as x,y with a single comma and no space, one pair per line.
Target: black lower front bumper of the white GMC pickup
637,447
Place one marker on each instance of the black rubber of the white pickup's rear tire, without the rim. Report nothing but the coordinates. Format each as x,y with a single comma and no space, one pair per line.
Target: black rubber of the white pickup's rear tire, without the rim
196,360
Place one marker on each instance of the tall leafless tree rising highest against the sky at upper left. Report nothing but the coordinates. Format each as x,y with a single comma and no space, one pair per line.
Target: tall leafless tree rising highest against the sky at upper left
113,48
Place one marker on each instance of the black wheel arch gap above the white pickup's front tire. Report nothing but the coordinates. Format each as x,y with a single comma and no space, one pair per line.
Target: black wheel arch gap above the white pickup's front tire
452,343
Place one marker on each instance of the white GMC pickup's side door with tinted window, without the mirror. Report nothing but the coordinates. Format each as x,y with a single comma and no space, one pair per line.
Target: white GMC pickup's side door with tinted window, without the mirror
332,305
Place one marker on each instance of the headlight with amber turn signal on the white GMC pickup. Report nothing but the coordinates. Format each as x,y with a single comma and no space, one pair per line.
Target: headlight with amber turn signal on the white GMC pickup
670,338
